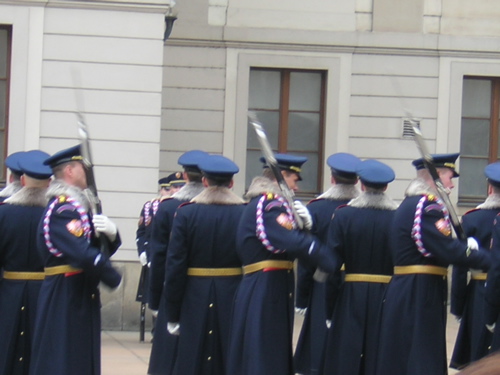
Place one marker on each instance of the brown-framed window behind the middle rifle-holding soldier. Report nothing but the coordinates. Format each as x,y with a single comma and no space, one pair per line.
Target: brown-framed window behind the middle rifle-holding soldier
290,104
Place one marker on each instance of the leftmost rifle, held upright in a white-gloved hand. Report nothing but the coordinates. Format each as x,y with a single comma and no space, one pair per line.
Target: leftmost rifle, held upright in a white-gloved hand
92,195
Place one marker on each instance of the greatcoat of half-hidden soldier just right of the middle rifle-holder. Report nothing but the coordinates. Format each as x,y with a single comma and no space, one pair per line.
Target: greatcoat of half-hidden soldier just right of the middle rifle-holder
310,294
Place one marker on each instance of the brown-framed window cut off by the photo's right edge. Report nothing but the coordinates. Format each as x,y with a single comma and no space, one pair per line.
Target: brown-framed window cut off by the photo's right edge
479,142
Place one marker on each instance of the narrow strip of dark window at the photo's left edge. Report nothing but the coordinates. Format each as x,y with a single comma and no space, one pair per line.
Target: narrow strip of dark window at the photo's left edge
5,43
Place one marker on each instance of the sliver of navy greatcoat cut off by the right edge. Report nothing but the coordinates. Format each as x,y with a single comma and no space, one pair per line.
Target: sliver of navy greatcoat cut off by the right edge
492,298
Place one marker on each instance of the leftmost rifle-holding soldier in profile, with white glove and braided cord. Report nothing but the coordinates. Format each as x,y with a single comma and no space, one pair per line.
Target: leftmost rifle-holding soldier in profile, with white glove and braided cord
67,338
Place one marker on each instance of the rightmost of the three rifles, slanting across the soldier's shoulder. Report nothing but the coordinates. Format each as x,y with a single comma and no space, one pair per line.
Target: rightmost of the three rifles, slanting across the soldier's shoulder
441,190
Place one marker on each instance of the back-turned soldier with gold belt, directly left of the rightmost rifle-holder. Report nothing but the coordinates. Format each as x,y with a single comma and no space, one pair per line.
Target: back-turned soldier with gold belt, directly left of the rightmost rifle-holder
359,234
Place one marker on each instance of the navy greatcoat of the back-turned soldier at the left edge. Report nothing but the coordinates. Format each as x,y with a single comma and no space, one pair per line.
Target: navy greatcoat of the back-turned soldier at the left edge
18,298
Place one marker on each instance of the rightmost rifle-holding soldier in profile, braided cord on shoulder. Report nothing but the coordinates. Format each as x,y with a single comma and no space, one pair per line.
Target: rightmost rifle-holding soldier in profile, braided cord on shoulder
413,326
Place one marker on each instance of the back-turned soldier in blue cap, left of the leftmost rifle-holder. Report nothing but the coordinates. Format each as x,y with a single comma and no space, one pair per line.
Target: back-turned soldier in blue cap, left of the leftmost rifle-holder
21,265
